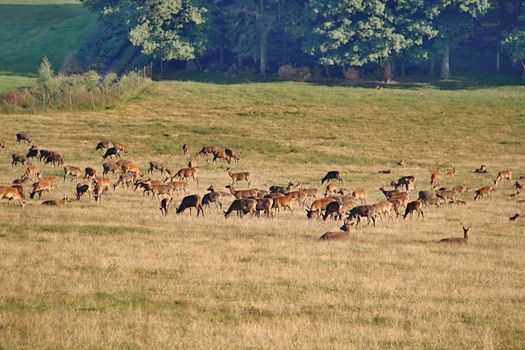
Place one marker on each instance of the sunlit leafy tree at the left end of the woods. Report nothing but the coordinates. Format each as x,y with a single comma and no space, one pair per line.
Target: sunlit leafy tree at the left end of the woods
167,29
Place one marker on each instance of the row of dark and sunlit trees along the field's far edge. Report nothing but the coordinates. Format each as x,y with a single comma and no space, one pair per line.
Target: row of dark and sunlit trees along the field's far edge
266,34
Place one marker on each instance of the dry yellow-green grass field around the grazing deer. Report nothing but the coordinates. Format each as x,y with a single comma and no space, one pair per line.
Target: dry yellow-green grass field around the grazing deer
117,274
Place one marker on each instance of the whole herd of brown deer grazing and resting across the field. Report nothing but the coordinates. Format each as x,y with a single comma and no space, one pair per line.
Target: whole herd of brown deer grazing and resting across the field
335,204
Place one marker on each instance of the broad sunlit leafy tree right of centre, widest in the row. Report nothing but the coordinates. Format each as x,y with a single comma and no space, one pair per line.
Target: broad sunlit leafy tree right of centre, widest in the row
356,32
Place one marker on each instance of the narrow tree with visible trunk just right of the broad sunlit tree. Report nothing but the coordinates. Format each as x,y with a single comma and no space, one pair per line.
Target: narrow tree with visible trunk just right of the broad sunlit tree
453,19
